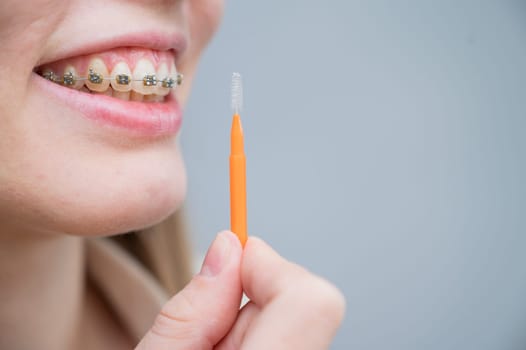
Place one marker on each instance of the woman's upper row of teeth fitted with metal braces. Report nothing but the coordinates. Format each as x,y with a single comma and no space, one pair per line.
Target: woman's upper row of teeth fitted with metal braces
144,79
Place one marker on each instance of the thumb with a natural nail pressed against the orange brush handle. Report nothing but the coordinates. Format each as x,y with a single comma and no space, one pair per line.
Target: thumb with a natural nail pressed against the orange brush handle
203,312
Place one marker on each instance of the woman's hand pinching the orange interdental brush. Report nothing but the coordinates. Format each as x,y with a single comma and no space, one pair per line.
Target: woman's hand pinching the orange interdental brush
290,308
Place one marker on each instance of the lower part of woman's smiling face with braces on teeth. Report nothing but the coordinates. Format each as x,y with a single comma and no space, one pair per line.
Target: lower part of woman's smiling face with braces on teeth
74,160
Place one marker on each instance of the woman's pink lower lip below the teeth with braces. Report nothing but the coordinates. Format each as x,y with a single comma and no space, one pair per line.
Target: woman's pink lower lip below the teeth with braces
140,119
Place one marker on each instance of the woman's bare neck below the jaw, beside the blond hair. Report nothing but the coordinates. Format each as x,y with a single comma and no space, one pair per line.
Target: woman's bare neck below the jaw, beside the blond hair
41,294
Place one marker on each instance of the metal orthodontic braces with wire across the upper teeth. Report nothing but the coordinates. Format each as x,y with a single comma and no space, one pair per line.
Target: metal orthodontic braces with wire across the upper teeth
122,79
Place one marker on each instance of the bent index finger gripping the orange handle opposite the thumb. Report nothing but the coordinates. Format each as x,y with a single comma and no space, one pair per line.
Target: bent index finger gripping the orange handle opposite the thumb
298,310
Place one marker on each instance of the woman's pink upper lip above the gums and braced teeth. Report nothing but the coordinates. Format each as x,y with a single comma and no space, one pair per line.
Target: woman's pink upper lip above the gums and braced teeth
154,40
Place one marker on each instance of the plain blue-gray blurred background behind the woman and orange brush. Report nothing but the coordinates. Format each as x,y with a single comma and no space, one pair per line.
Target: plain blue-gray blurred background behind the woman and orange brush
386,145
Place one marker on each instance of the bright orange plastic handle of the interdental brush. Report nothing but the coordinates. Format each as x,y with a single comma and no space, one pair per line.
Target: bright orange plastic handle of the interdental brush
238,195
